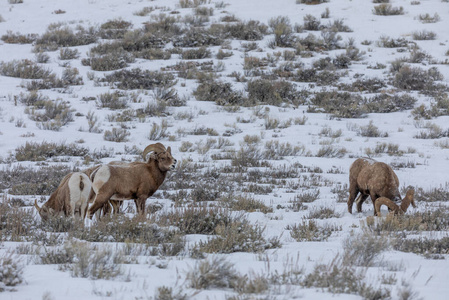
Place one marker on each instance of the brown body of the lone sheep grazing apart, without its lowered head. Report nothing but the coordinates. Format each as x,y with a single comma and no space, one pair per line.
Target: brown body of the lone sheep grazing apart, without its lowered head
374,179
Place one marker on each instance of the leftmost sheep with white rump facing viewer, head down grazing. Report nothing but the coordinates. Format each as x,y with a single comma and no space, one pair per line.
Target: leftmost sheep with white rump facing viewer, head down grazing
70,198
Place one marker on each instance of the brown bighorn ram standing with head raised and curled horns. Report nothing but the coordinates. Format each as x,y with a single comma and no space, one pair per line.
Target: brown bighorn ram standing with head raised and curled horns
136,180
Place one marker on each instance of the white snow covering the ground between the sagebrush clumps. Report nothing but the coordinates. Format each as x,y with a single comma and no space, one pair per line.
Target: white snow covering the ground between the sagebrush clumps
428,278
